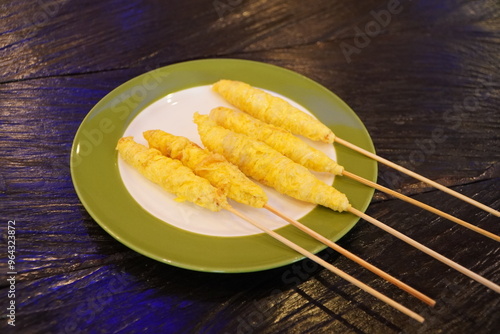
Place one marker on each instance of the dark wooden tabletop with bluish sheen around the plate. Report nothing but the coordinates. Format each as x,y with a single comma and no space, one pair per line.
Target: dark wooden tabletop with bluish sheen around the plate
425,82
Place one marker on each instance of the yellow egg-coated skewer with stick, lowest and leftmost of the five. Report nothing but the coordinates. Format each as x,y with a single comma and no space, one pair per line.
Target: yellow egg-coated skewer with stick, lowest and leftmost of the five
180,180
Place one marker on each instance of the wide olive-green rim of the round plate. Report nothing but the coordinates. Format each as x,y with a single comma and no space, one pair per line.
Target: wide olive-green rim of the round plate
97,180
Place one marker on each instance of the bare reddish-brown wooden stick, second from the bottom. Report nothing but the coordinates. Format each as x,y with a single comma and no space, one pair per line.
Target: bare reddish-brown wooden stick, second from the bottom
353,257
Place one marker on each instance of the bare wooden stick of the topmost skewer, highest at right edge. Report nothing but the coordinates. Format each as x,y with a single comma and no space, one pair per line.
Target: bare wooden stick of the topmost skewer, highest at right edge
417,176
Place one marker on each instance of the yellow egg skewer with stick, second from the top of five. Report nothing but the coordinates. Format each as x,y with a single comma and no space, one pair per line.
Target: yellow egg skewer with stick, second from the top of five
299,151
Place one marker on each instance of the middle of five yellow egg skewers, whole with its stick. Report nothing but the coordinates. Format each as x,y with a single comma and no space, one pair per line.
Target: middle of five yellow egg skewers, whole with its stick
261,162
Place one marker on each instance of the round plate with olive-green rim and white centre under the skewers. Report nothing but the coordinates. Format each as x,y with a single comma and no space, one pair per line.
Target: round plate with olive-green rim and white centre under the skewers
146,219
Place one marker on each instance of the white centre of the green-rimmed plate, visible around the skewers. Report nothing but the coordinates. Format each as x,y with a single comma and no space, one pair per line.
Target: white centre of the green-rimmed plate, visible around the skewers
174,114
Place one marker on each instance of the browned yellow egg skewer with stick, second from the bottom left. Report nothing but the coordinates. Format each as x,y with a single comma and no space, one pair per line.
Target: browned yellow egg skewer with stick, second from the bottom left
218,171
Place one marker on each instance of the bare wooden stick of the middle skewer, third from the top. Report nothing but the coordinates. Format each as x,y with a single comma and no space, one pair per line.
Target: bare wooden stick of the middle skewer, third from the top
426,250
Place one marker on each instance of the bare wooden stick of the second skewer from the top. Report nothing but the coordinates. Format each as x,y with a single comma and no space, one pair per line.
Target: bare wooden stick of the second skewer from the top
421,205
